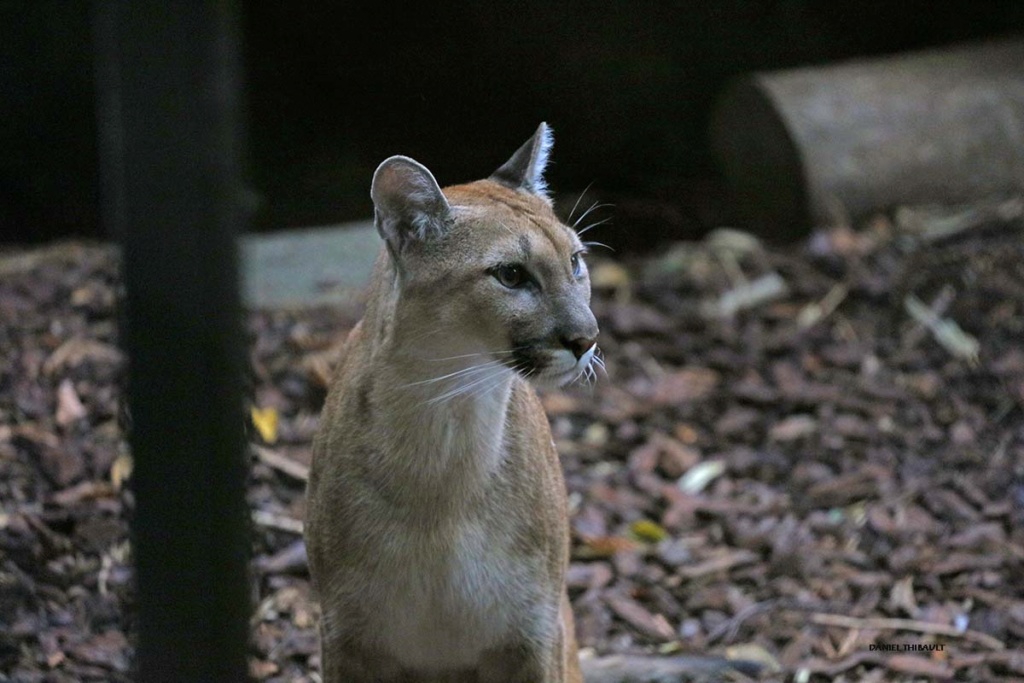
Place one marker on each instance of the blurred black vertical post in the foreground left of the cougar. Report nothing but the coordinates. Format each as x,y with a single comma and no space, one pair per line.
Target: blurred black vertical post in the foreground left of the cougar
168,78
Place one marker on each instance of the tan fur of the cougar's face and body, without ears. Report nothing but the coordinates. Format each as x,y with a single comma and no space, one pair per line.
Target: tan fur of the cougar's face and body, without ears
438,531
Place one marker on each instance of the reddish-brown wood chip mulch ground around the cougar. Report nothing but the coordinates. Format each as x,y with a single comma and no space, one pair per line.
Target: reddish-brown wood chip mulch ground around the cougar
796,454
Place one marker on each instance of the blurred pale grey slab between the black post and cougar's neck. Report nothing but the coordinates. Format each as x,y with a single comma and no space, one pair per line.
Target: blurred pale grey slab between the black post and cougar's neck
310,267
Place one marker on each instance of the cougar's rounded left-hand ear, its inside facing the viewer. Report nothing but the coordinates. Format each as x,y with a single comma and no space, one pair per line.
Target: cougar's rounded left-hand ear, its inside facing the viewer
409,205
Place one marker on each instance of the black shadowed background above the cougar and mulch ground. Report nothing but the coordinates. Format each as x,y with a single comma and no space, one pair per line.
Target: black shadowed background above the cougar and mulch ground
334,89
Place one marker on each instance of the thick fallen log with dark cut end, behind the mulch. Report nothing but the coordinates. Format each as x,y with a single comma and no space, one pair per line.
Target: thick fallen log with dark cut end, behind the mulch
825,144
